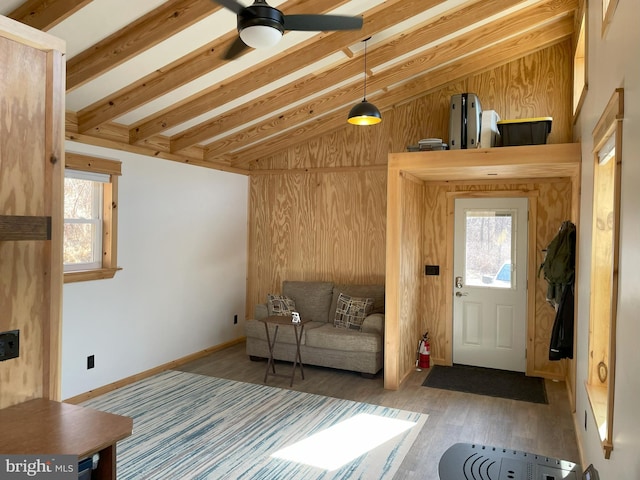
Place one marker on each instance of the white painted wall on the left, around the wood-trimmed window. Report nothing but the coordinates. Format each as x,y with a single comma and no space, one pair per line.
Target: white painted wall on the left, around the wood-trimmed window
182,244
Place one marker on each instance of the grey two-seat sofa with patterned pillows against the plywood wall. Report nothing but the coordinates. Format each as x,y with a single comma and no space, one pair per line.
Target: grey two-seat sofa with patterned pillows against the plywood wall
345,328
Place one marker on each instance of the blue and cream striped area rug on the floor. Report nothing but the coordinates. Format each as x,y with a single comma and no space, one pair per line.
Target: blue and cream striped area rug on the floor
189,426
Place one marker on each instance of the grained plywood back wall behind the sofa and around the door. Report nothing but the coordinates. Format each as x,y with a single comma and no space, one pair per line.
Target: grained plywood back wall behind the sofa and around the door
326,220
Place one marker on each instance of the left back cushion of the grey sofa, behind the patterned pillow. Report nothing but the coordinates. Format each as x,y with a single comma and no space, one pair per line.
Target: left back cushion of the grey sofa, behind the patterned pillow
312,299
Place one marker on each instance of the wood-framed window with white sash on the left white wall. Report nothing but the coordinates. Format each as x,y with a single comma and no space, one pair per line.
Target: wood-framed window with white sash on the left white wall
90,217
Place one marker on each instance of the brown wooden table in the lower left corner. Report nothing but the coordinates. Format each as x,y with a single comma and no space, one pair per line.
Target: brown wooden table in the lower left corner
44,426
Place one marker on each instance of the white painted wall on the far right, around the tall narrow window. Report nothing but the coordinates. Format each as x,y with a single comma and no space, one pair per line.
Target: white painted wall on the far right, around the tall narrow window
613,62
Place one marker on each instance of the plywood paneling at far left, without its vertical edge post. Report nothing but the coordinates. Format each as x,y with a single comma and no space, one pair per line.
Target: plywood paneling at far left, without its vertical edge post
21,193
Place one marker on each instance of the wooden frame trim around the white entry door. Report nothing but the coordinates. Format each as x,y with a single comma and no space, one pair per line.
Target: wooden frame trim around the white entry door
532,196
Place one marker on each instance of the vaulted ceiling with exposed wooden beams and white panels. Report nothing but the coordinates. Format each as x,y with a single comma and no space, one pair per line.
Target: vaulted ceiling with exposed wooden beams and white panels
147,76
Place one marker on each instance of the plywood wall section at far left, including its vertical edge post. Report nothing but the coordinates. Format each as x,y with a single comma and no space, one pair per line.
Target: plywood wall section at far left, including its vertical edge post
31,166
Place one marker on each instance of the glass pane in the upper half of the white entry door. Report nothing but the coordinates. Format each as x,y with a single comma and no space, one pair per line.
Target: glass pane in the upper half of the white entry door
488,247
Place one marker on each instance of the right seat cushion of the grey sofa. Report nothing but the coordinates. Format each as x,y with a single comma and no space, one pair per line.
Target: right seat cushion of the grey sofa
330,338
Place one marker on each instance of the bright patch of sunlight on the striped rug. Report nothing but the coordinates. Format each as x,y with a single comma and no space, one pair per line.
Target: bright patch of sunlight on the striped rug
344,442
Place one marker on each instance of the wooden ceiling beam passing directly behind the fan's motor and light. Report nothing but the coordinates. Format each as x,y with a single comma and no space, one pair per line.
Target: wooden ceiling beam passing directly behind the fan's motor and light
178,73
